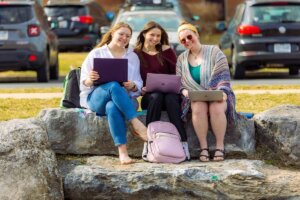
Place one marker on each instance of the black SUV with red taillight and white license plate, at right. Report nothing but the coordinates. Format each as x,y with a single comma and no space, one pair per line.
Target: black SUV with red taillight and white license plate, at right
264,33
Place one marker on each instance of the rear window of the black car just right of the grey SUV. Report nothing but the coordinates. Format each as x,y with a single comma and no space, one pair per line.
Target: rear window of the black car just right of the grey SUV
66,11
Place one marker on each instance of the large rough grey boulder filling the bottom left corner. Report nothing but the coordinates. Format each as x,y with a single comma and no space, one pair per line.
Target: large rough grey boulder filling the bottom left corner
28,167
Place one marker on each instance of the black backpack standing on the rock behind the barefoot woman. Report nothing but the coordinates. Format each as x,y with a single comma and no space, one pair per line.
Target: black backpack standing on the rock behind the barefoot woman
71,93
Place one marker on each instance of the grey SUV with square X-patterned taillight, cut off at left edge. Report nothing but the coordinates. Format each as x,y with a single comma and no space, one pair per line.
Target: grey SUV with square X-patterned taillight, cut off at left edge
26,41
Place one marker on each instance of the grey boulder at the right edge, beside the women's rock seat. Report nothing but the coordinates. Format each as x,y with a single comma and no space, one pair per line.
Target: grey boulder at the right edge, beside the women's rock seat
278,130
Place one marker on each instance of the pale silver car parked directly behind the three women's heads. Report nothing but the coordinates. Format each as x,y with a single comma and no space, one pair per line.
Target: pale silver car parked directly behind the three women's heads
137,19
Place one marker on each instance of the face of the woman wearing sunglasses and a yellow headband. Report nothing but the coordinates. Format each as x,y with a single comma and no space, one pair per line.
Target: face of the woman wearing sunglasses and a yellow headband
188,39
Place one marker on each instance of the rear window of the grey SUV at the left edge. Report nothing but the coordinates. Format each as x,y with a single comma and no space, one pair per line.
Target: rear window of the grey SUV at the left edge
15,14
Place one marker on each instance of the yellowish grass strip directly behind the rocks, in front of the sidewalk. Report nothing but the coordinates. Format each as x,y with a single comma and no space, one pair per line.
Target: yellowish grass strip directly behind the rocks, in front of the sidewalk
25,108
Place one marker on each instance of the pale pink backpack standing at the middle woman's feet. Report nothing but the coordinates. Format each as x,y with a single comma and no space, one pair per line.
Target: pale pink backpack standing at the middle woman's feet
164,144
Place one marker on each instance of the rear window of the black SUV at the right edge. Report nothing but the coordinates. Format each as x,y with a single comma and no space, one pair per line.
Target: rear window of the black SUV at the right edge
278,13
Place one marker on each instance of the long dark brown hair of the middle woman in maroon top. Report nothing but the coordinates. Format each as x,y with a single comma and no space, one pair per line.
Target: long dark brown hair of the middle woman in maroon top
164,40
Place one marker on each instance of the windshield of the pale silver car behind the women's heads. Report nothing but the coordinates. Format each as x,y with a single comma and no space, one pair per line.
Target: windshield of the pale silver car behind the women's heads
137,21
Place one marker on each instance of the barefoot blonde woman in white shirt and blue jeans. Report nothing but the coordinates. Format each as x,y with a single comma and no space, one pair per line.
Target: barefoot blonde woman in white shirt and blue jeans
113,99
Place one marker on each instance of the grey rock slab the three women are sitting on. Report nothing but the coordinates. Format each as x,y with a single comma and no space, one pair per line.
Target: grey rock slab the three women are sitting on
78,131
